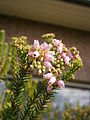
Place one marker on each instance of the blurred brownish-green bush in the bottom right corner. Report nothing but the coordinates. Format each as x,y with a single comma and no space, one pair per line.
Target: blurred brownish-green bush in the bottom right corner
77,113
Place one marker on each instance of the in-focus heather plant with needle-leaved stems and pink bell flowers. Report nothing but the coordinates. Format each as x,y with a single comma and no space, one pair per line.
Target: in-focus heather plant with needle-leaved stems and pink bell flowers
51,60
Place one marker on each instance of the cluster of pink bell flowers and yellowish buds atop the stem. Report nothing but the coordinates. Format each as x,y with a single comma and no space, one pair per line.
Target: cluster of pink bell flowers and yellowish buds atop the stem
50,60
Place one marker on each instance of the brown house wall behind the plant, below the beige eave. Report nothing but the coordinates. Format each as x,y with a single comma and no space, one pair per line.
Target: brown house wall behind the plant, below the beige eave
34,30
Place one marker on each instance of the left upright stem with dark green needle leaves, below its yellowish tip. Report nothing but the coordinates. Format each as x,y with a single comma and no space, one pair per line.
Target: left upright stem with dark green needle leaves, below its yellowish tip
17,86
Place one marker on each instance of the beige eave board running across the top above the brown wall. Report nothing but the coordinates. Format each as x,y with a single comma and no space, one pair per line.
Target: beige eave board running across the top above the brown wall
49,11
